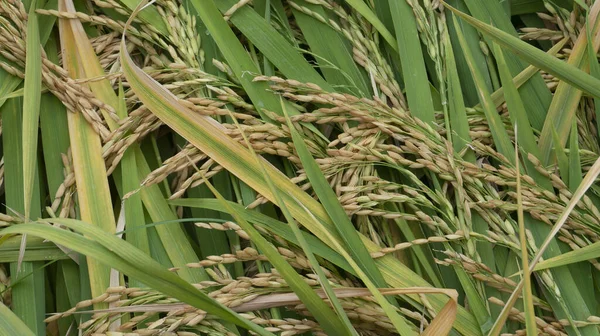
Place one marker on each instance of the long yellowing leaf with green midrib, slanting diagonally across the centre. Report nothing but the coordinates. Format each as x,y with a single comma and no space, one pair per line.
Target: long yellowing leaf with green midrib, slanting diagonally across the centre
210,138
